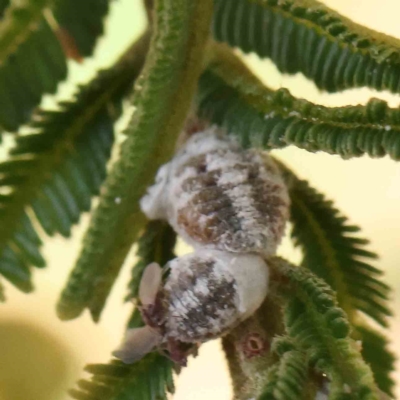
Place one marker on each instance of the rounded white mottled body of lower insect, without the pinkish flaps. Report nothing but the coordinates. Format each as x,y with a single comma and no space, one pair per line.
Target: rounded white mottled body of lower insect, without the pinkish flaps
211,291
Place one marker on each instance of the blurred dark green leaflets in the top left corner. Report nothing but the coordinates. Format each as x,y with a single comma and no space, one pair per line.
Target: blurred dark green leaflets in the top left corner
32,57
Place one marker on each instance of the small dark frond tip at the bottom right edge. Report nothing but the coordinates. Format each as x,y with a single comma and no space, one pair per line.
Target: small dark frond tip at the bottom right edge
374,349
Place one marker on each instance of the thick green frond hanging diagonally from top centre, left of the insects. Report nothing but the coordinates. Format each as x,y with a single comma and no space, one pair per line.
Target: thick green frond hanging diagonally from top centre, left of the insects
167,85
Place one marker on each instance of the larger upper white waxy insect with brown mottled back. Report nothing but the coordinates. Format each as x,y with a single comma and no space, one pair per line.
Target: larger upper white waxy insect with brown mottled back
217,195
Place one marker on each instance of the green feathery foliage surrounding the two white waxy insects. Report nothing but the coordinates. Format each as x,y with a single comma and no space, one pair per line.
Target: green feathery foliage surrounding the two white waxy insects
60,163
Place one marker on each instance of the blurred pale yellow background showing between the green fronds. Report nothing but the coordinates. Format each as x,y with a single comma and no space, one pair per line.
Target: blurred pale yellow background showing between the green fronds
41,357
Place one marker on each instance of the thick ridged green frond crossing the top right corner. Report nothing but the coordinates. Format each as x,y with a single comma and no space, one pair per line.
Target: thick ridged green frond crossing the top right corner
306,36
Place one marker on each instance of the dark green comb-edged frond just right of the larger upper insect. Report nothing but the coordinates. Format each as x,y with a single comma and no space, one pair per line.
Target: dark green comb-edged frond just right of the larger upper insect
333,251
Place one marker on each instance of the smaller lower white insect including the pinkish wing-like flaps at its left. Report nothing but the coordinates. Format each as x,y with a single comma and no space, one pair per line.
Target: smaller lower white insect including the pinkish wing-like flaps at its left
206,294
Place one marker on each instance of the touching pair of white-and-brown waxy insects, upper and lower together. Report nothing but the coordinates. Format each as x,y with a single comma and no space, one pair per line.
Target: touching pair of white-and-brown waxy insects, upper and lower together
231,205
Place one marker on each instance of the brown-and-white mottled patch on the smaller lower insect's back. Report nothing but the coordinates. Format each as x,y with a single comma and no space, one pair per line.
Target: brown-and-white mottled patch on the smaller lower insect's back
202,300
